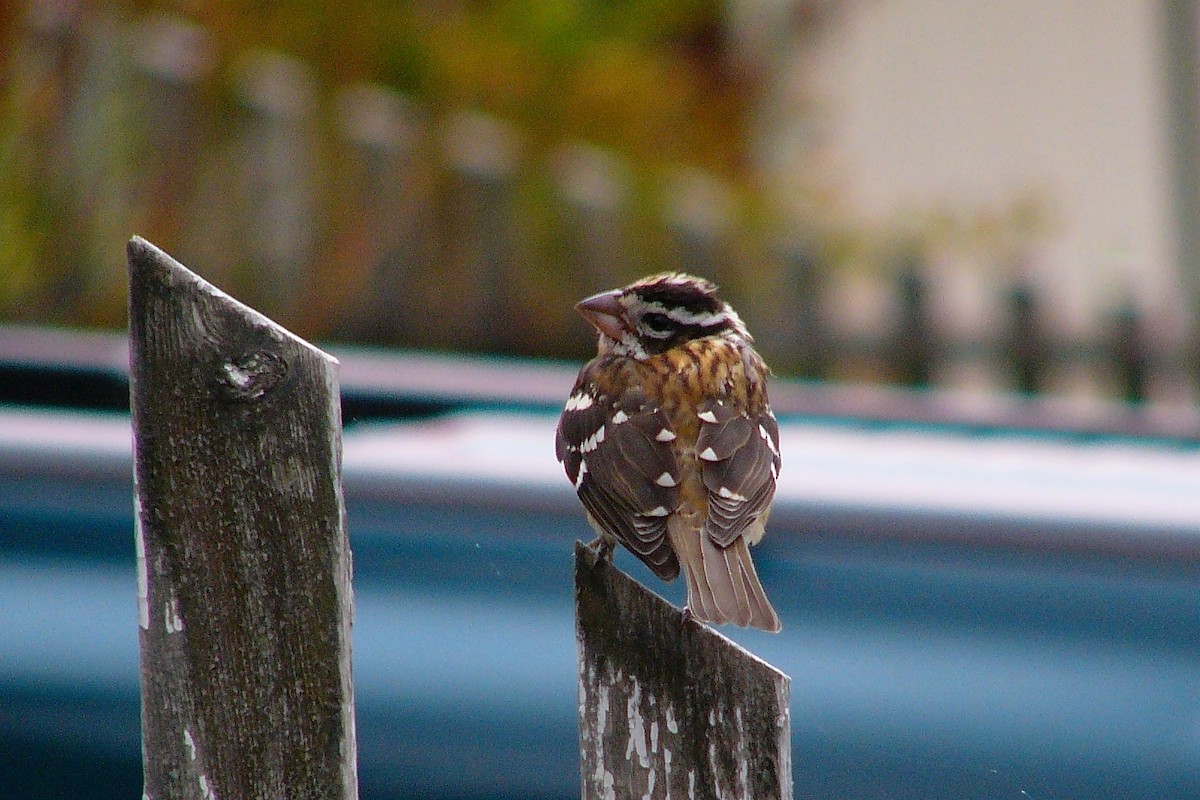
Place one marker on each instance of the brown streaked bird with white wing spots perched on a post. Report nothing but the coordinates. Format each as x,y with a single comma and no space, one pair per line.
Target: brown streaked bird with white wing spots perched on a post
671,443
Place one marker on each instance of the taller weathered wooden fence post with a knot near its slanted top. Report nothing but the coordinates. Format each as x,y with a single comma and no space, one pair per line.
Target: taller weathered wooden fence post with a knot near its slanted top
244,568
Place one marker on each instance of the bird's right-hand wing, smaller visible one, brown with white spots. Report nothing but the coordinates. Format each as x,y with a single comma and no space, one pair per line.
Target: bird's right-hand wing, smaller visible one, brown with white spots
739,454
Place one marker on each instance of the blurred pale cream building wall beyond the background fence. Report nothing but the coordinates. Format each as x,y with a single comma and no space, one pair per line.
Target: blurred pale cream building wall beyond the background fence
965,107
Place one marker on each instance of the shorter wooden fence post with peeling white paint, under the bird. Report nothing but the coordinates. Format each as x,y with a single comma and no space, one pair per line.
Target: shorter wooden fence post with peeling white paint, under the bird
670,708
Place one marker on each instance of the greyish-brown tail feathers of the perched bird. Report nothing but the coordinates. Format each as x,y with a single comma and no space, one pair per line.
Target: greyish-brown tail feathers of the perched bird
723,586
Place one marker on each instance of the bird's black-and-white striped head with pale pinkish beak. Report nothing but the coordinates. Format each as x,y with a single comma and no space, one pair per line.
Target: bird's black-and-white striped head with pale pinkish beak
659,312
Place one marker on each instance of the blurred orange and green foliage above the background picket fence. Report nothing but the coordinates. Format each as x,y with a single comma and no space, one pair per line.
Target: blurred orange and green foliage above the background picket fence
644,76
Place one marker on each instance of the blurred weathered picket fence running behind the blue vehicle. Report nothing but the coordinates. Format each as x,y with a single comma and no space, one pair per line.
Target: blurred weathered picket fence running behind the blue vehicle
351,212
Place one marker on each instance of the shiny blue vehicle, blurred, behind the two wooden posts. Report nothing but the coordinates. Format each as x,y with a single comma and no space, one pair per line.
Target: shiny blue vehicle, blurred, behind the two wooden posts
975,605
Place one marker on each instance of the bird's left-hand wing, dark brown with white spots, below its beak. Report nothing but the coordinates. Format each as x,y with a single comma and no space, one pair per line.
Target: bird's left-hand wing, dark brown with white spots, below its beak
617,453
